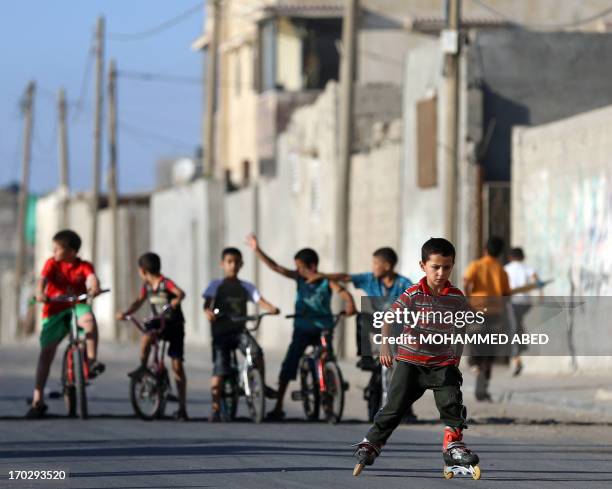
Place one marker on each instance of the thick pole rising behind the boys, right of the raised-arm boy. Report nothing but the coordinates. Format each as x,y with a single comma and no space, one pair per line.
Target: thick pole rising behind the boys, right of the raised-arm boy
347,75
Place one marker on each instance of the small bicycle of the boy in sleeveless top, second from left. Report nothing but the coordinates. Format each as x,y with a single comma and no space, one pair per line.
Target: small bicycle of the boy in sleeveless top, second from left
150,388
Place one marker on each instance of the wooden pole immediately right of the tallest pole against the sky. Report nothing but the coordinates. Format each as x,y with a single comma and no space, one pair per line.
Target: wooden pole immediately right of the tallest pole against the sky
112,182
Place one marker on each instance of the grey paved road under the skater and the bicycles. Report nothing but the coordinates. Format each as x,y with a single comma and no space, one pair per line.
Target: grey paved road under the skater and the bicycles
525,448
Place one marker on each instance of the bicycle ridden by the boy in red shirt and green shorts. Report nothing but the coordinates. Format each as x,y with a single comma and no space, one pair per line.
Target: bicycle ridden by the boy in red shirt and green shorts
75,365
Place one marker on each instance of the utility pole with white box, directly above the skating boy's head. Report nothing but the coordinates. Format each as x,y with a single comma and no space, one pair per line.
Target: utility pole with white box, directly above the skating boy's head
451,87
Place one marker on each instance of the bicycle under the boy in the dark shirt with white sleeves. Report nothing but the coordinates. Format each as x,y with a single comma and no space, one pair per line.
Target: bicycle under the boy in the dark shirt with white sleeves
247,380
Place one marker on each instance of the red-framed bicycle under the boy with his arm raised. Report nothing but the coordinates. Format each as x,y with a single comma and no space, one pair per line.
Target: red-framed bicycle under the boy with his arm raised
321,381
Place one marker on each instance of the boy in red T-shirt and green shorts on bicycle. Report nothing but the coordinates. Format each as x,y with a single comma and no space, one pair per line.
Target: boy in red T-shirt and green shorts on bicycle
64,274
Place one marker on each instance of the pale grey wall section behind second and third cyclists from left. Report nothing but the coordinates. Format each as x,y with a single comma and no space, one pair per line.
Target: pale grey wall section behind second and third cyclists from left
187,233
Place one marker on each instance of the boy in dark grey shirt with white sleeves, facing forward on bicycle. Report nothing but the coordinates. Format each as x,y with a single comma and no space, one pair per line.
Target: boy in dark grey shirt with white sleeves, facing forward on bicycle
224,298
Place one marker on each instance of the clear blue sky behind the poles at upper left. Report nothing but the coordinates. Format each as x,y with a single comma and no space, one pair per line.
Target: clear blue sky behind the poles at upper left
50,42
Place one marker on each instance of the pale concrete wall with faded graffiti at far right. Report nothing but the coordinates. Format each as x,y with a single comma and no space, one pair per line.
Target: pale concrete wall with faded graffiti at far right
562,217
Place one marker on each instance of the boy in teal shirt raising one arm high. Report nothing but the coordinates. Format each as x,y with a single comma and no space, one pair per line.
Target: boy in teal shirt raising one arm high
312,299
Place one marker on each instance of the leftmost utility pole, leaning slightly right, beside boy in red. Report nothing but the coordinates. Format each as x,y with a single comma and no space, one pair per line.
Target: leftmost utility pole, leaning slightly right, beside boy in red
28,112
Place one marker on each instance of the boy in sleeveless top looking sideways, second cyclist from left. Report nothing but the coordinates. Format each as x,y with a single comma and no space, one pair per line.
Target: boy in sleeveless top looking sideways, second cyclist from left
160,291
